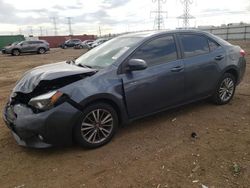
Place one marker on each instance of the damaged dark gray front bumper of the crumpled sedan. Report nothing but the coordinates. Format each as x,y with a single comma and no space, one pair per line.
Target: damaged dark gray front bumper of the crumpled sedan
41,130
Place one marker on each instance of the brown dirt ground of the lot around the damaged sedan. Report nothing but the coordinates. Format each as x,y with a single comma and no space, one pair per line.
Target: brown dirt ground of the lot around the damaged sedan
157,151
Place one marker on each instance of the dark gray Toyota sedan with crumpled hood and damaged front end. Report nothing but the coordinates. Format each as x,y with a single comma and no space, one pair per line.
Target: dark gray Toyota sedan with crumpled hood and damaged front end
126,78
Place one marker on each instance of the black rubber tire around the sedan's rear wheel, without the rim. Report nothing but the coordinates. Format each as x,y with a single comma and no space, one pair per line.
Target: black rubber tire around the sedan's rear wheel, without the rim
216,97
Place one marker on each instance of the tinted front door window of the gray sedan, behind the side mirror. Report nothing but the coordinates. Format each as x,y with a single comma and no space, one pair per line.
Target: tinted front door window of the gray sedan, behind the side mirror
157,51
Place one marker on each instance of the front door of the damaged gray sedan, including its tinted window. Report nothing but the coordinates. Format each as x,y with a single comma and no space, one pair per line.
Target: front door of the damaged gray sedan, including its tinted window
158,86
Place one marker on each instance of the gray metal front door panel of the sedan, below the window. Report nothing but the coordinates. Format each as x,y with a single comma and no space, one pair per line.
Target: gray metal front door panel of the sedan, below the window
153,89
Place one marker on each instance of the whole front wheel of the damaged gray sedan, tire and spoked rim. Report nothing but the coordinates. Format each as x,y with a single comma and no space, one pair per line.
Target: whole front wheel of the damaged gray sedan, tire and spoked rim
97,126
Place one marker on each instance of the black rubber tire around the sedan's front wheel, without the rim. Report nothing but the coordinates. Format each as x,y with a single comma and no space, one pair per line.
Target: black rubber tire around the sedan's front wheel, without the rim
77,129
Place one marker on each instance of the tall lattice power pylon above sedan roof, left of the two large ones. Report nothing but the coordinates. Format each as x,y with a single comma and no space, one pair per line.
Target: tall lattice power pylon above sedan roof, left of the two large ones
159,18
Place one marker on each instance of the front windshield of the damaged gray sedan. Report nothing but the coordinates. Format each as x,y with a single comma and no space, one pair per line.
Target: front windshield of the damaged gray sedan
107,53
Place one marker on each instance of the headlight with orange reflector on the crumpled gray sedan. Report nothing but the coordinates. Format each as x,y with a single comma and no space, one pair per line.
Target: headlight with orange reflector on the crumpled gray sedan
45,101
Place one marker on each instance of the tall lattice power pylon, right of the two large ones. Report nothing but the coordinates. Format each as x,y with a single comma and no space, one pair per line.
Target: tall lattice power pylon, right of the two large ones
186,16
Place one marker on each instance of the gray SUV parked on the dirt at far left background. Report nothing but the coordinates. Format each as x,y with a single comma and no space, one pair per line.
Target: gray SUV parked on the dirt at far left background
32,46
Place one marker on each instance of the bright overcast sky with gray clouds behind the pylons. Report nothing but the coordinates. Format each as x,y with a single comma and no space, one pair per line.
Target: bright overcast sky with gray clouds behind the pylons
113,16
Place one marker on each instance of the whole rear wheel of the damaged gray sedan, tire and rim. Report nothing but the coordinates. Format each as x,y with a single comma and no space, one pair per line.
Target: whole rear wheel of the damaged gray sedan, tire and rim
225,90
